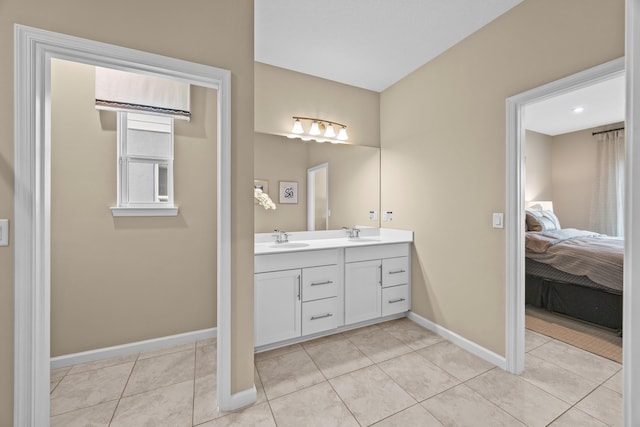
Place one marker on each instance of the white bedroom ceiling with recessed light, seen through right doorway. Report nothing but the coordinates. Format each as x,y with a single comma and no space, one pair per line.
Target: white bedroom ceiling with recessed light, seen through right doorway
604,103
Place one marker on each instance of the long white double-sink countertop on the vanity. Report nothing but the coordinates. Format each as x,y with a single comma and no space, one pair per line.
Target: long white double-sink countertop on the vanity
316,240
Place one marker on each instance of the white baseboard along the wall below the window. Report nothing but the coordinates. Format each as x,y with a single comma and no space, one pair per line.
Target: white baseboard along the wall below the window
132,348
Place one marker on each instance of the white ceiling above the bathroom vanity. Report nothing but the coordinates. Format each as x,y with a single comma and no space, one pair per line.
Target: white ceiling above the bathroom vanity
365,43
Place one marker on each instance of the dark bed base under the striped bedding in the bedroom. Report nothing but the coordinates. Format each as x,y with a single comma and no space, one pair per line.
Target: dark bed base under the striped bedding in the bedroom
592,305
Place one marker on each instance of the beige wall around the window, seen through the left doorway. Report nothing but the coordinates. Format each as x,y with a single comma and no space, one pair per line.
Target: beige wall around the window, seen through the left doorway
120,280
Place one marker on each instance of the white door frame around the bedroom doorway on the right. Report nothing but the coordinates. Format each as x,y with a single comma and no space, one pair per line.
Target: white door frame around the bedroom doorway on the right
515,215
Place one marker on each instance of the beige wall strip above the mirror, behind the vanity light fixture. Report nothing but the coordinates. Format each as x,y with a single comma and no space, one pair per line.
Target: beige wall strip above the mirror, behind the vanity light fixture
281,94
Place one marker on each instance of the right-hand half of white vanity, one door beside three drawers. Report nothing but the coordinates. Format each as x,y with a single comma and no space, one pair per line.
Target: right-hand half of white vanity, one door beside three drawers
376,281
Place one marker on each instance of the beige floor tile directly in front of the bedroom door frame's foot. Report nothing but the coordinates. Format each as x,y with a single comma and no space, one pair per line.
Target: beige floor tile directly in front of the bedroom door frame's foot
526,402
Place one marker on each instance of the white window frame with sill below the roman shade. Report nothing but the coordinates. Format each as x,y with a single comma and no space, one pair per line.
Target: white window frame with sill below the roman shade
159,207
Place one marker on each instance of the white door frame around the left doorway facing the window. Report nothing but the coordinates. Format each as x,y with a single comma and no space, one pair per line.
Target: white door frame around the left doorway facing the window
33,51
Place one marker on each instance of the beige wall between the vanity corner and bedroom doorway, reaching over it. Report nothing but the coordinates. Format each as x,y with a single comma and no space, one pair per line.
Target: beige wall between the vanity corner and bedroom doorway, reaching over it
443,151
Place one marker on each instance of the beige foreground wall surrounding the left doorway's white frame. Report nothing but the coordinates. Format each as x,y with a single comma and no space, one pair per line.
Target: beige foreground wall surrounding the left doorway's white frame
212,32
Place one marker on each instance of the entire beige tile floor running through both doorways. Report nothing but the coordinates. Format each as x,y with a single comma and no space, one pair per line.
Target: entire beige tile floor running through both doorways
392,374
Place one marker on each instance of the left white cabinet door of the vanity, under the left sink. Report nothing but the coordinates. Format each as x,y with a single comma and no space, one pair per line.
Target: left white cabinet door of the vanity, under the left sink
277,306
